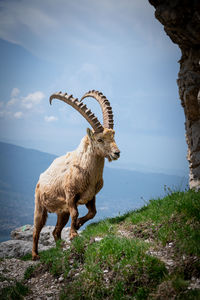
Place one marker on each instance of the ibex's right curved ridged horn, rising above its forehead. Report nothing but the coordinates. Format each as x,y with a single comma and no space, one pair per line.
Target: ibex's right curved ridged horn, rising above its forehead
105,106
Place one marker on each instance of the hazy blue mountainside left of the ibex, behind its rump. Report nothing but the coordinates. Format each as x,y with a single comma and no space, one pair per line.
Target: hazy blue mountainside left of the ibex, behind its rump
20,170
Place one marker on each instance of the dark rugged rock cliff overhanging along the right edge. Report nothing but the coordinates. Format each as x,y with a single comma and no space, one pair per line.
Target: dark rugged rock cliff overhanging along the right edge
181,20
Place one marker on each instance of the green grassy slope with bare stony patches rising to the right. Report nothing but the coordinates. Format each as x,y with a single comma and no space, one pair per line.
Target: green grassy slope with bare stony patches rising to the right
151,253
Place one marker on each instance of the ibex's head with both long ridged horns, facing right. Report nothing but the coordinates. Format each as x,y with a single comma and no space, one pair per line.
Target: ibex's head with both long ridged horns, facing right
101,137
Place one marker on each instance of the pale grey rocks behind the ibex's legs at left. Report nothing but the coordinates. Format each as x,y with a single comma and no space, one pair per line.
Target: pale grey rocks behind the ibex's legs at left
21,242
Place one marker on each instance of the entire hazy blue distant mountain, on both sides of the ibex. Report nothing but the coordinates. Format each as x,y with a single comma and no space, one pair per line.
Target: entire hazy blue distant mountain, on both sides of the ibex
123,189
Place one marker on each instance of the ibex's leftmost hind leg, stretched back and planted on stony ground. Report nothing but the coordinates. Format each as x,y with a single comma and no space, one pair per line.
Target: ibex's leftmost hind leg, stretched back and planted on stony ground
40,217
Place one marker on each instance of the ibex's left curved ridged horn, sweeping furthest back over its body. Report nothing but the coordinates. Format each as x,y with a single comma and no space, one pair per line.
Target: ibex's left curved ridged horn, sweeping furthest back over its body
80,107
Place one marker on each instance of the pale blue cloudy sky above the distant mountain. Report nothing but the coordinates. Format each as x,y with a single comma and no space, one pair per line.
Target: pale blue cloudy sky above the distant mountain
114,46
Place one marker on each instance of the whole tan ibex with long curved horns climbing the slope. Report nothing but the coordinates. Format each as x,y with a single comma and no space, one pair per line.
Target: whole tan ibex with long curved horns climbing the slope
75,178
